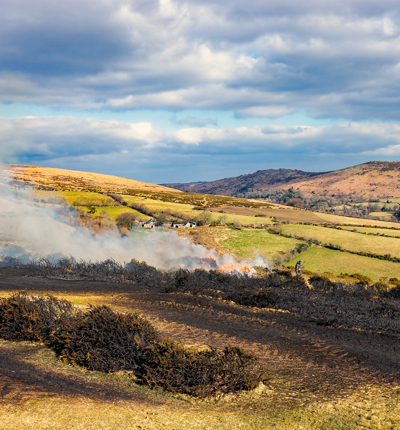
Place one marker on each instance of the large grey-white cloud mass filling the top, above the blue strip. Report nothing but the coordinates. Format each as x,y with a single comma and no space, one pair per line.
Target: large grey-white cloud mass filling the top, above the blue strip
264,59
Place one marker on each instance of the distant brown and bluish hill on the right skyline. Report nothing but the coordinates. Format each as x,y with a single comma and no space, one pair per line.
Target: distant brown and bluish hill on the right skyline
376,178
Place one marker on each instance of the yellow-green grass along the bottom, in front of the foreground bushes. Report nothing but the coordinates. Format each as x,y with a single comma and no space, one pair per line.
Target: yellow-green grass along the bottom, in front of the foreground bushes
368,407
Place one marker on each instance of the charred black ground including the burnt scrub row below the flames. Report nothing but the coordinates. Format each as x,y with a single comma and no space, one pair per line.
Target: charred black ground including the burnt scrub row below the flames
322,342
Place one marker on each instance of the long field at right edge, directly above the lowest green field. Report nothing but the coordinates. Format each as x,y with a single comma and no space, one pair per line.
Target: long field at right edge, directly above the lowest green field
347,239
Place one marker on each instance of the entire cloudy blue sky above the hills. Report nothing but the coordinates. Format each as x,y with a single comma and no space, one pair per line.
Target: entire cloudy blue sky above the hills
182,91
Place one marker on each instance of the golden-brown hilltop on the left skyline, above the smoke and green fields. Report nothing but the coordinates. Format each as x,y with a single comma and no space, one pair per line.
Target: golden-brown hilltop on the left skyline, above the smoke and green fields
48,178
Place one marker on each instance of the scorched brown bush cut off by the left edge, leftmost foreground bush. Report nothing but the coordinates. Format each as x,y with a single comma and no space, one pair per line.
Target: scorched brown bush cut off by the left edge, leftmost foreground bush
24,317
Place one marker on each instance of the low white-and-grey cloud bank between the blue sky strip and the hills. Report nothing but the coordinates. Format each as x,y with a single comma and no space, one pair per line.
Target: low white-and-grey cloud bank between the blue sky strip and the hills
122,148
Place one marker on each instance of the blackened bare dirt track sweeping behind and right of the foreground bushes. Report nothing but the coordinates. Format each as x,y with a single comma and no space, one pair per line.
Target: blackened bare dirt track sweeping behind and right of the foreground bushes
300,356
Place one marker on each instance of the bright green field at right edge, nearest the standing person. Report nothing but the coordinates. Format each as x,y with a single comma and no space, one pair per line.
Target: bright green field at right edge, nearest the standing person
326,260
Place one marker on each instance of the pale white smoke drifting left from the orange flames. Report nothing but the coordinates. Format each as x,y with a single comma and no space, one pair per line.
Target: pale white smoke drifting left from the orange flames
30,231
